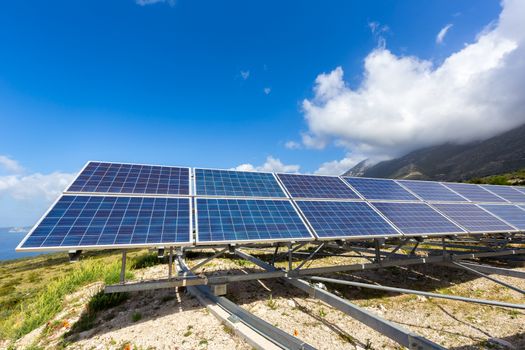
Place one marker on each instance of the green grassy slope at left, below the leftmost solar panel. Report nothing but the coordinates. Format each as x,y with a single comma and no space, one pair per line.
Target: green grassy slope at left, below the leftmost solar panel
42,283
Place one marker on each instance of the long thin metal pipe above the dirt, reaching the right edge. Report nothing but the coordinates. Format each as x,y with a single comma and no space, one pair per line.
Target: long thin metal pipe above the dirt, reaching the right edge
416,292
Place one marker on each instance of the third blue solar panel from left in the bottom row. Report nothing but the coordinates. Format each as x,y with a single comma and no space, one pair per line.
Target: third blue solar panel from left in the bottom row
345,219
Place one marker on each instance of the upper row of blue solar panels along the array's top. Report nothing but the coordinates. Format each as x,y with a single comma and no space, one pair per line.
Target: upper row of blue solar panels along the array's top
109,178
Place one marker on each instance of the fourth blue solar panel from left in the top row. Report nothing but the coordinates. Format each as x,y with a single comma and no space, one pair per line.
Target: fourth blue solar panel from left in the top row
379,189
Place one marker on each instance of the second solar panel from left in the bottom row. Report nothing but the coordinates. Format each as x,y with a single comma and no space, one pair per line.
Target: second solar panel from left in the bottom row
244,220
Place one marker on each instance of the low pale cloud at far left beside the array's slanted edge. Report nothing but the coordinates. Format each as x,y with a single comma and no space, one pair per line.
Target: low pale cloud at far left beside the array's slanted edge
24,197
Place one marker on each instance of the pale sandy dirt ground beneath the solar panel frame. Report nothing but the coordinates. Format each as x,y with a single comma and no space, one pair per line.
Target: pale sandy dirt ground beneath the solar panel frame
170,319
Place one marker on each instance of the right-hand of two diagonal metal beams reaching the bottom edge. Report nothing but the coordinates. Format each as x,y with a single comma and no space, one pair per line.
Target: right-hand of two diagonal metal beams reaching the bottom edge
389,329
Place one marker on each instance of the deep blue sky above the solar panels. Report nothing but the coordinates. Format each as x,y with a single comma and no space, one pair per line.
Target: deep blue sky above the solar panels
196,83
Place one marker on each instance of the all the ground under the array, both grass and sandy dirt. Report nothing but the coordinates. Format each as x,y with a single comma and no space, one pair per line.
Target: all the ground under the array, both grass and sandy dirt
83,318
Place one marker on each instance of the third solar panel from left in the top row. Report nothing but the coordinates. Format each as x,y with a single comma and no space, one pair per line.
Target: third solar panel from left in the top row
313,186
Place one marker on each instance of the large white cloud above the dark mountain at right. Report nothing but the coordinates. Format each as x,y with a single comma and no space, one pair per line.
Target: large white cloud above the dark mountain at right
404,103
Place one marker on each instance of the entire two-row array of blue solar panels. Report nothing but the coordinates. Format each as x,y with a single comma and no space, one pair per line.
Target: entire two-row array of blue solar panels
123,205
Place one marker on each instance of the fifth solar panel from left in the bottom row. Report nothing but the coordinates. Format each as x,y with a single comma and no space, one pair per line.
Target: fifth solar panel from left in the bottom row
473,218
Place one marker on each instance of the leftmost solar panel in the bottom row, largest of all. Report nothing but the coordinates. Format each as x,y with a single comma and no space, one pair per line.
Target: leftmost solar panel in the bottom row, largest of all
106,221
